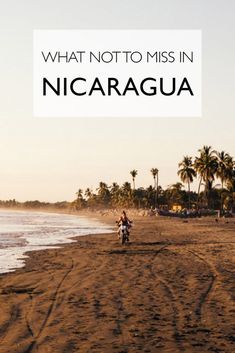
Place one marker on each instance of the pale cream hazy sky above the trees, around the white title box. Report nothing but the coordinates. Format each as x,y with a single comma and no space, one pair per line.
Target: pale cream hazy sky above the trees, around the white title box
50,158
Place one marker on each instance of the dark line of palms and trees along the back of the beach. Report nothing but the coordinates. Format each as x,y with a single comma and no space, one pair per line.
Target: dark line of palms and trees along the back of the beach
208,167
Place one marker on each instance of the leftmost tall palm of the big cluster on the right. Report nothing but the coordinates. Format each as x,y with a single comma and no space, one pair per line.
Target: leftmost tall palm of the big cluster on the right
187,173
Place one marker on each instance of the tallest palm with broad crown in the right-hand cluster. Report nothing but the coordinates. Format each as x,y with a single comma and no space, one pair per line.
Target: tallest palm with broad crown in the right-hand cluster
206,166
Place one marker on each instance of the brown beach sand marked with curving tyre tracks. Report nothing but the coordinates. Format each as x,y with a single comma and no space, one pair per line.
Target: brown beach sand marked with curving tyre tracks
171,289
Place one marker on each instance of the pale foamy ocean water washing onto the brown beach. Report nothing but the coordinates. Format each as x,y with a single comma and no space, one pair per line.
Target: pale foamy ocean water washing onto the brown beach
22,231
